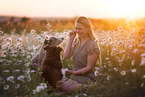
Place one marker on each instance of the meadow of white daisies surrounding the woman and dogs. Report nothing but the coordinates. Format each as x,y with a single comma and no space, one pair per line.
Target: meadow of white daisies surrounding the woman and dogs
120,74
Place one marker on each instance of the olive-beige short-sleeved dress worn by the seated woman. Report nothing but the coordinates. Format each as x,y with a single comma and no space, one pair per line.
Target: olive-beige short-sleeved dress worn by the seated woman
80,60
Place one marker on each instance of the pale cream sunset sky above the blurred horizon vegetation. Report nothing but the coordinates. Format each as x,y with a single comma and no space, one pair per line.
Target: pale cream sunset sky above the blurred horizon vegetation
71,8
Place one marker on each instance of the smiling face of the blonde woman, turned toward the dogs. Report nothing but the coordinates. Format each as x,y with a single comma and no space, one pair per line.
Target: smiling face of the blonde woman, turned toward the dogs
81,30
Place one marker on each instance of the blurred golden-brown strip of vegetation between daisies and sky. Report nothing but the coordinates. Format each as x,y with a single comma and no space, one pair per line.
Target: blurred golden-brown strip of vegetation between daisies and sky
60,25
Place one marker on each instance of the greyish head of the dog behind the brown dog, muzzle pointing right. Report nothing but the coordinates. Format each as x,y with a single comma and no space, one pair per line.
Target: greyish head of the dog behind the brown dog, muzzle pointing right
53,41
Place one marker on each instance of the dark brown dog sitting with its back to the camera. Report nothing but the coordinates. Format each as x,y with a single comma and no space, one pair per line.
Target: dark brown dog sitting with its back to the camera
52,65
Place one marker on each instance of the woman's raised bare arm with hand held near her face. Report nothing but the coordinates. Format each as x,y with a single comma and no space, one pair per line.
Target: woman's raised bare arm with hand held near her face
69,47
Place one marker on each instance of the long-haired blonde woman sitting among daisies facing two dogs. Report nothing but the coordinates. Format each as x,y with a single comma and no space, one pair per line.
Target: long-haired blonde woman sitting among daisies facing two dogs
85,54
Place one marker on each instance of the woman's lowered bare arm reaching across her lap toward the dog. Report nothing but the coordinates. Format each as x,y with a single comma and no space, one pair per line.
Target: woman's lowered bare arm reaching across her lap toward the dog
91,61
